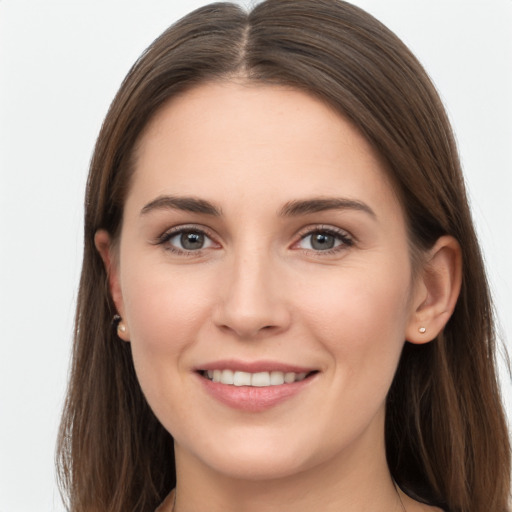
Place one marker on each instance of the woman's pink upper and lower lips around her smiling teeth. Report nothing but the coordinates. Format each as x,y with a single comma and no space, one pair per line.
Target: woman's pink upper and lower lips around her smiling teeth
249,398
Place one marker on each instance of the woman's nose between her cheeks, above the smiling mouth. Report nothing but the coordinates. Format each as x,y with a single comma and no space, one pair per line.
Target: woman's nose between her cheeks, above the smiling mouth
252,299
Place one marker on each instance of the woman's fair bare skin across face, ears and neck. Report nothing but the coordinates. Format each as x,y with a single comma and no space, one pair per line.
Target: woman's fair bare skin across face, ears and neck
259,290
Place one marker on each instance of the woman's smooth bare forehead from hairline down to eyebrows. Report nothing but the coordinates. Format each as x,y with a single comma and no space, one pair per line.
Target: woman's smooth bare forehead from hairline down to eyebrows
231,140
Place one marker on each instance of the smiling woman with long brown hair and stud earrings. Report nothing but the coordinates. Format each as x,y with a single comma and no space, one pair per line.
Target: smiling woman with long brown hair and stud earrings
283,303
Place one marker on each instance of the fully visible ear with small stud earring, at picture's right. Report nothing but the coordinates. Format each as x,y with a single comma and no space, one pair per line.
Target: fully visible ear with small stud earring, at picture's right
437,291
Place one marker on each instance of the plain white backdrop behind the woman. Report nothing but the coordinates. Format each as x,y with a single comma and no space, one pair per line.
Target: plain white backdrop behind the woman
61,63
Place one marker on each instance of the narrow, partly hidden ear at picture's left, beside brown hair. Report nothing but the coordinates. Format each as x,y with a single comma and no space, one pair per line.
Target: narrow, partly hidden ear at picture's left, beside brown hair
105,247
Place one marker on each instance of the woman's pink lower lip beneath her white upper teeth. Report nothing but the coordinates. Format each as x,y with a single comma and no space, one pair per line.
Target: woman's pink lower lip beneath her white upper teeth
252,398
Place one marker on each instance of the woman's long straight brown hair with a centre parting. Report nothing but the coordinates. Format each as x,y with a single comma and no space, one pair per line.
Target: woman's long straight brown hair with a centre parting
446,436
